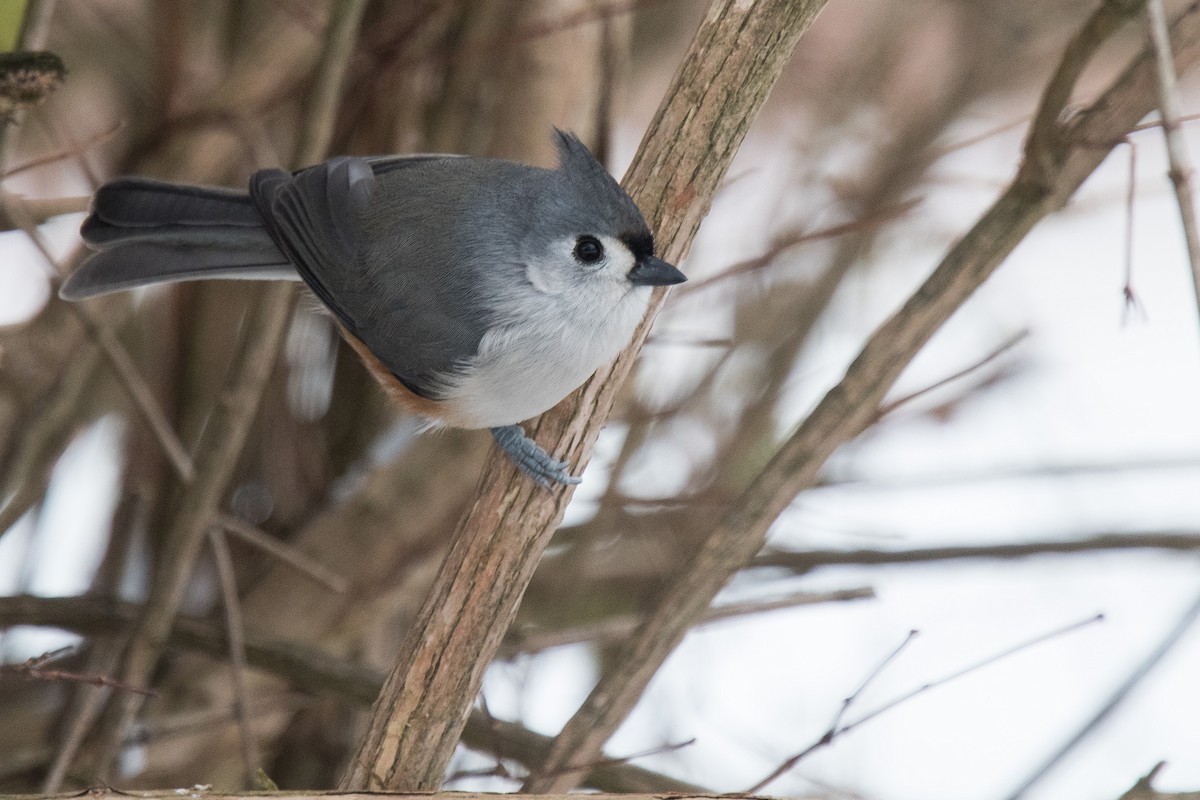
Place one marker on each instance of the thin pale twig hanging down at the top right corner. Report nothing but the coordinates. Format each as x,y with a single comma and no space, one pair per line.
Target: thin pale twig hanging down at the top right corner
1177,148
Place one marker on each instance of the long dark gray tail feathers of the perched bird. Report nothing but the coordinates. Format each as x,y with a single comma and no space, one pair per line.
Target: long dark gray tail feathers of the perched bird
149,232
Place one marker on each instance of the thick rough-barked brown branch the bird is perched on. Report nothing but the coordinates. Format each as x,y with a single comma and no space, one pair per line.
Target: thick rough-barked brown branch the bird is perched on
736,58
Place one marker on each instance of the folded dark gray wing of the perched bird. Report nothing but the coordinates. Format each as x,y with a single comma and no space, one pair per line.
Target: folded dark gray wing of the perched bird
367,254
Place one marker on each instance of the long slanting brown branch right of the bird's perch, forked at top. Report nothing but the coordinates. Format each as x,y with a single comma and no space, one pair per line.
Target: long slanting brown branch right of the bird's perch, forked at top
1053,169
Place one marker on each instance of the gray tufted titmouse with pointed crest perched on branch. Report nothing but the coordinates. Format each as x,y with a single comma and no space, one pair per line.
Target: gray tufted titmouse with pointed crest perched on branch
478,292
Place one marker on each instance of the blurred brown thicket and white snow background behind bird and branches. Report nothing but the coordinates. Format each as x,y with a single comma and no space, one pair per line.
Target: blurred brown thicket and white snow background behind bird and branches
1052,479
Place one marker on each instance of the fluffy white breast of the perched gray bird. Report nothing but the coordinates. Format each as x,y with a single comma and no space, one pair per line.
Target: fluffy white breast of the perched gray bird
525,368
